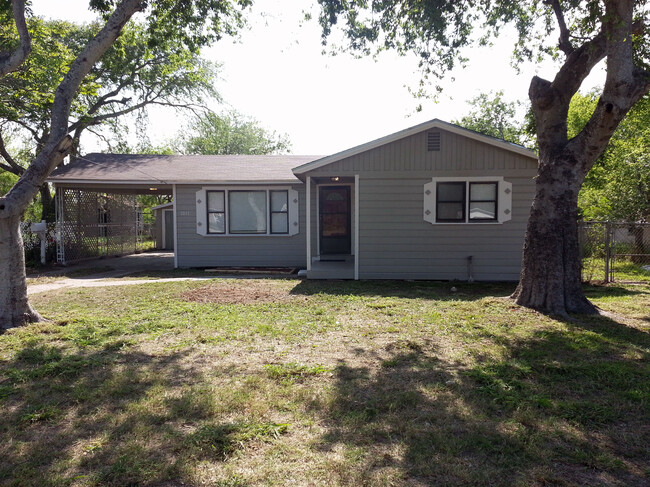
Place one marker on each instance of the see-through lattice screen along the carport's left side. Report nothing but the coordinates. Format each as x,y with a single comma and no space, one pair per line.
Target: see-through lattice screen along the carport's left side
94,224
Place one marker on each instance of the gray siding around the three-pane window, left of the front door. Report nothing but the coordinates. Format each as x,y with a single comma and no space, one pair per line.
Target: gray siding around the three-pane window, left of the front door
195,250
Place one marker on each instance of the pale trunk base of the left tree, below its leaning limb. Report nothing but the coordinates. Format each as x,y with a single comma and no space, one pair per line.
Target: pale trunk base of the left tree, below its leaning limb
15,309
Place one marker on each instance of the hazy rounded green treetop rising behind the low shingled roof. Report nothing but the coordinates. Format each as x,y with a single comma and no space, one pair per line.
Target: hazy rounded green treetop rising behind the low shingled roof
231,133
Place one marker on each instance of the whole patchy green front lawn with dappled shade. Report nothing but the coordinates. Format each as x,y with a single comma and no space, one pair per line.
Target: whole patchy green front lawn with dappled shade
286,382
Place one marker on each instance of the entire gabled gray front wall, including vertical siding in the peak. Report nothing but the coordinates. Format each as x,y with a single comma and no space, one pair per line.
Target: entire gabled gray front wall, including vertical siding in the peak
396,243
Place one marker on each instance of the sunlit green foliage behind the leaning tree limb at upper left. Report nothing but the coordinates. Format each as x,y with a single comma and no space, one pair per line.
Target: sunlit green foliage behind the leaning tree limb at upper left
128,79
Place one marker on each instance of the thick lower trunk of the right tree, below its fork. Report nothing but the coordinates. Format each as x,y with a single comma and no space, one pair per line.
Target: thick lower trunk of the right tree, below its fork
551,268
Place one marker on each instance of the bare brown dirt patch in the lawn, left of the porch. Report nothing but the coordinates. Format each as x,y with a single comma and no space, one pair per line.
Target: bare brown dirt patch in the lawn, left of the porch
239,292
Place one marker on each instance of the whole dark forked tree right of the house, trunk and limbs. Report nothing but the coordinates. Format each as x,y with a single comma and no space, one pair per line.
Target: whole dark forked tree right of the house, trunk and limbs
550,278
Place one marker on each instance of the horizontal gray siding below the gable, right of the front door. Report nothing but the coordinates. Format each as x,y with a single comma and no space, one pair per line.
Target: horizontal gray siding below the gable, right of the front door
396,243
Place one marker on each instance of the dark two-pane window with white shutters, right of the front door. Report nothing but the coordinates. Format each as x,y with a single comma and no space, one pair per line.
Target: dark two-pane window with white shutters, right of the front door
468,200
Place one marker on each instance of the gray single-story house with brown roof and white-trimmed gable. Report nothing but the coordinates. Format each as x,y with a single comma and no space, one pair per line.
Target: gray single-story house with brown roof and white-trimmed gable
434,201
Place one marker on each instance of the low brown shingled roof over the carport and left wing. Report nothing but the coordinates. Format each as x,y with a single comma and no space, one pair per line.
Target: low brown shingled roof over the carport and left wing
180,169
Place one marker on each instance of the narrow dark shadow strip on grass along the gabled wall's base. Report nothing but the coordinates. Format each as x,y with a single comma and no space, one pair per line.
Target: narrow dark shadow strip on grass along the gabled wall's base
406,289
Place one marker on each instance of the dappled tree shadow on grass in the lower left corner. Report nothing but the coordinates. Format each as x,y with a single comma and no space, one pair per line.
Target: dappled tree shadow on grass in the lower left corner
109,418
